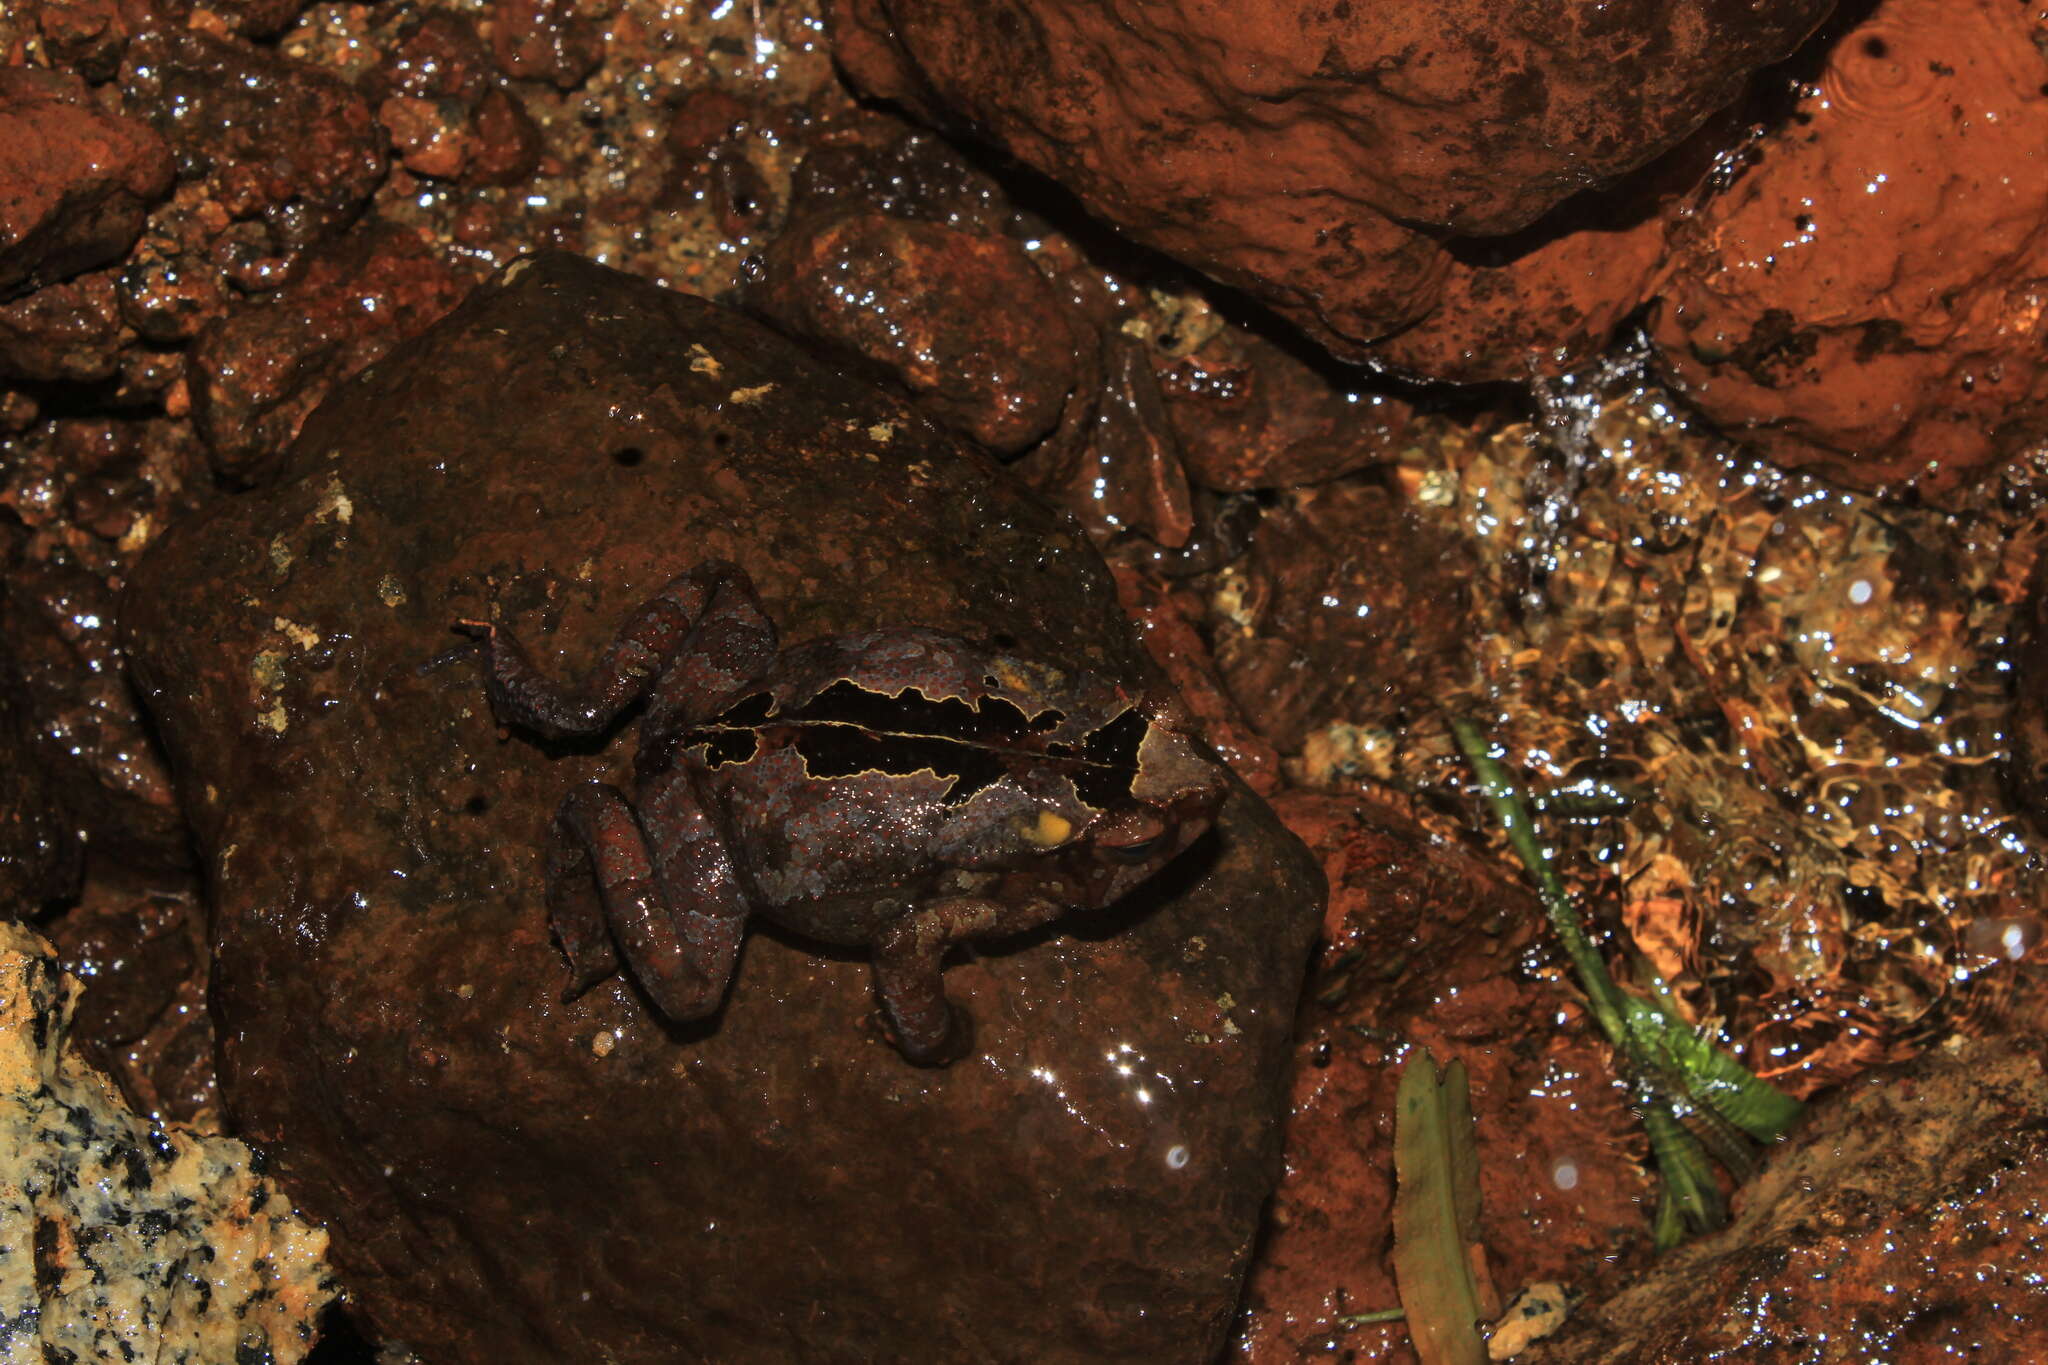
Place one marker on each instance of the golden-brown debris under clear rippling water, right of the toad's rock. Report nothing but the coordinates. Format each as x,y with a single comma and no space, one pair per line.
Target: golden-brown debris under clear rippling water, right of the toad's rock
1768,715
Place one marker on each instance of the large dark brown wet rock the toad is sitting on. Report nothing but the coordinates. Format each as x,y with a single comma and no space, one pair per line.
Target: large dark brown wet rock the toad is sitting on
519,1180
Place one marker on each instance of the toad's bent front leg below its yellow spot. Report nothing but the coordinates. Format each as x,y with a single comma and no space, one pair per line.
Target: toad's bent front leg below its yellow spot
929,1028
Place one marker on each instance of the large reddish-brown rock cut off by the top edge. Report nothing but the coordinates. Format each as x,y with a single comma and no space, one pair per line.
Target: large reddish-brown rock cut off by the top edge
1312,155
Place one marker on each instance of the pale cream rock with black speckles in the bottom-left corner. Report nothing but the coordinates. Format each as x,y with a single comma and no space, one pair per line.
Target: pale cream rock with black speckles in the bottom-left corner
124,1239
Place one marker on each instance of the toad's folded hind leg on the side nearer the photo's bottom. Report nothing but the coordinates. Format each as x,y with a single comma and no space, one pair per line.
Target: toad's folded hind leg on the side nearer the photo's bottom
667,906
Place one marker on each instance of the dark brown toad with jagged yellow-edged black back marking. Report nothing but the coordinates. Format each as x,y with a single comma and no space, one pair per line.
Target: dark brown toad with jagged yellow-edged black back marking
896,789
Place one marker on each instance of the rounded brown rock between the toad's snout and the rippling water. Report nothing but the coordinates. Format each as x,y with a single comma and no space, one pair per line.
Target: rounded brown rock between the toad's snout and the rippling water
1353,609
